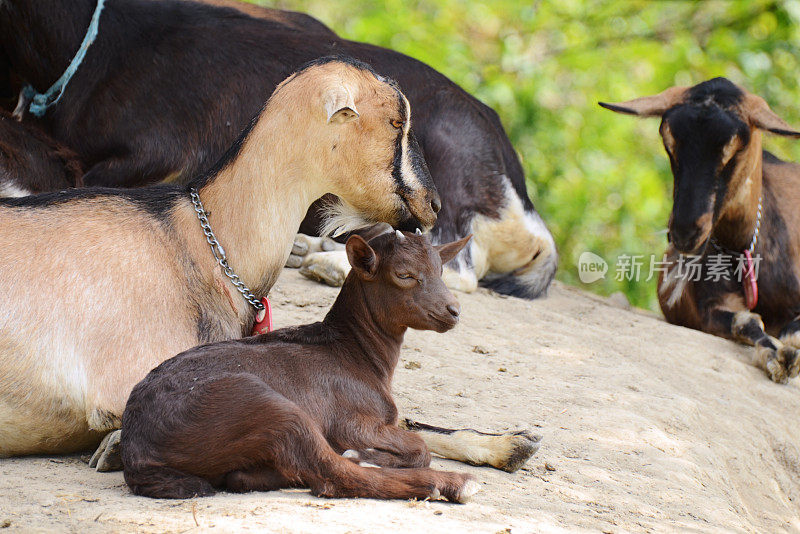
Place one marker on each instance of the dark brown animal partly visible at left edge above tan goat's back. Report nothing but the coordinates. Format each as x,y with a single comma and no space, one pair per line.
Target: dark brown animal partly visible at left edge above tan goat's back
31,162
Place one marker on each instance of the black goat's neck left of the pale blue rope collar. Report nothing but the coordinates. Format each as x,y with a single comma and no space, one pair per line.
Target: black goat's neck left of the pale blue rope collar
40,37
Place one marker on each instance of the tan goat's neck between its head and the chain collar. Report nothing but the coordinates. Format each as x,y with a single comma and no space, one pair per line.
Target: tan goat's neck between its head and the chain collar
257,200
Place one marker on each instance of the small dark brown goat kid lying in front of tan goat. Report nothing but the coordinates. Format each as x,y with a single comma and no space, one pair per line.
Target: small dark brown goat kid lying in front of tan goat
303,406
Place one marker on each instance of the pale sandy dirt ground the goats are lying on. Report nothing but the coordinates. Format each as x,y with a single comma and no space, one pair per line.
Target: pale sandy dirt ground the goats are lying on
647,428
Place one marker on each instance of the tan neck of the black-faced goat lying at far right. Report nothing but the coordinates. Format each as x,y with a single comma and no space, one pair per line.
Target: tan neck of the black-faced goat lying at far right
738,212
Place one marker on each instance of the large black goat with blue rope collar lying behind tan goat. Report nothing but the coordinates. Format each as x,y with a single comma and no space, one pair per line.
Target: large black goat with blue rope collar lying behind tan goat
167,85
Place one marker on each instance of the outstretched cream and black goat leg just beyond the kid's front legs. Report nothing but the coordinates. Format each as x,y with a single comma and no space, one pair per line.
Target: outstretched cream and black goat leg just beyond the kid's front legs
508,451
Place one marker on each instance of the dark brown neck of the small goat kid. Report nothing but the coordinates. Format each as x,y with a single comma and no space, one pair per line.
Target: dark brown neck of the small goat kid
365,324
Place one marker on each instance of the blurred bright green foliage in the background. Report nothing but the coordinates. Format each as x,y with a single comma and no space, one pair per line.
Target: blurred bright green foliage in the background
601,180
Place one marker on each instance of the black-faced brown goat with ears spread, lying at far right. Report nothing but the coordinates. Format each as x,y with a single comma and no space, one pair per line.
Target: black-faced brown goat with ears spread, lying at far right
730,198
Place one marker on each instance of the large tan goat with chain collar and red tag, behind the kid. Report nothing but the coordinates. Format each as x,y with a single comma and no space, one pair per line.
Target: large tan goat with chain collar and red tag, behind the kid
101,285
